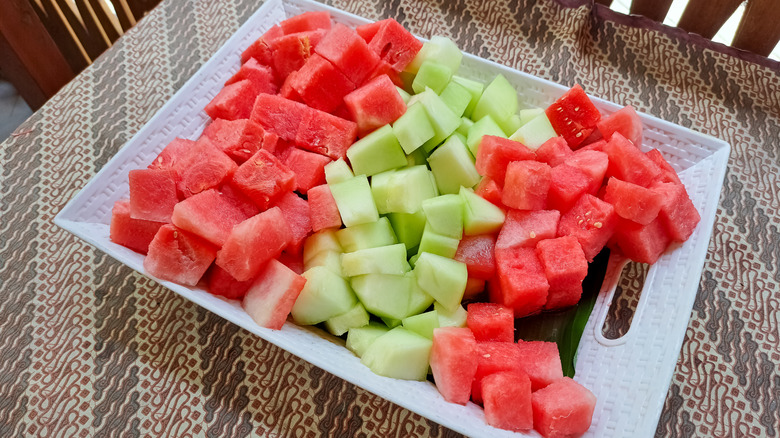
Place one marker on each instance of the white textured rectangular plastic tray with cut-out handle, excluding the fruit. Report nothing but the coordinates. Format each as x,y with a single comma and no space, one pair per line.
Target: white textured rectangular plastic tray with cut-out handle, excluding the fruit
629,376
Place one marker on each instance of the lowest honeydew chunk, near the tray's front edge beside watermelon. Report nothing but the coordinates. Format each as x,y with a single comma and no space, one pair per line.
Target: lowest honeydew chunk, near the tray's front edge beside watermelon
400,354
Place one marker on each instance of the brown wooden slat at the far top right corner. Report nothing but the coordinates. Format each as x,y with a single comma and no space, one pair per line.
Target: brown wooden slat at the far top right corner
759,29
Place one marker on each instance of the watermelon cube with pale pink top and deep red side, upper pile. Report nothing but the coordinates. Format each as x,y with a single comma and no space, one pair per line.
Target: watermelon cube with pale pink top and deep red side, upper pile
348,52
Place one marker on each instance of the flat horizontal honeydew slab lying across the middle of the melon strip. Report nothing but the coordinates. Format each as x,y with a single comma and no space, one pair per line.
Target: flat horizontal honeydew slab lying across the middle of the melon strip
390,259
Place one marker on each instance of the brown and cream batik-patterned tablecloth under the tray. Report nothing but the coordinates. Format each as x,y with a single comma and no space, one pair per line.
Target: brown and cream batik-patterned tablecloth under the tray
90,348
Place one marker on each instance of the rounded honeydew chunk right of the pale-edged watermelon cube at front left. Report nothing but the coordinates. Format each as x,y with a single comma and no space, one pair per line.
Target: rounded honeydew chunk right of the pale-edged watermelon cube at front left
324,296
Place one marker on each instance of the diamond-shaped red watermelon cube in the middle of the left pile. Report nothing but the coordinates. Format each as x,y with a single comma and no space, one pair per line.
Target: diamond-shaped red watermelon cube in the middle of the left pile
263,178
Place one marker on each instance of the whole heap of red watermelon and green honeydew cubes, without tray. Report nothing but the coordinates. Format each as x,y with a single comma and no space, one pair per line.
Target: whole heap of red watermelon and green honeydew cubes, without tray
352,179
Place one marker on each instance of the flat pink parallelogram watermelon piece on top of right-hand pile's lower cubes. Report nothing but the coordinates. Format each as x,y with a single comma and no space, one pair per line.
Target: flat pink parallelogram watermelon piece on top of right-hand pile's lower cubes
526,228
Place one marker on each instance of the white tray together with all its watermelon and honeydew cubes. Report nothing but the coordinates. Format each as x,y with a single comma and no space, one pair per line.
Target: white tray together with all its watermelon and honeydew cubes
385,207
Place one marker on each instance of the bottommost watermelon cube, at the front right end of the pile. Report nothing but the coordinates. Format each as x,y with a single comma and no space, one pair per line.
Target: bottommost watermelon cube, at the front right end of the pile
563,409
